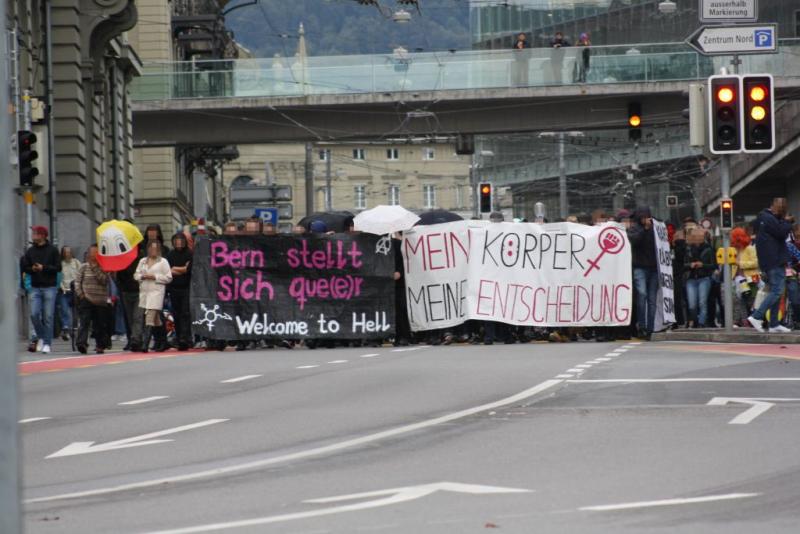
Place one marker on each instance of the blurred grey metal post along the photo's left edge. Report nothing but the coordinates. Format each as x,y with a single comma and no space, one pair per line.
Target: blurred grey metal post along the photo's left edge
9,461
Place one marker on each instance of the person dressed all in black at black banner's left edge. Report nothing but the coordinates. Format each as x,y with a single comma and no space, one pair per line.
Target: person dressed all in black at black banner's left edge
180,260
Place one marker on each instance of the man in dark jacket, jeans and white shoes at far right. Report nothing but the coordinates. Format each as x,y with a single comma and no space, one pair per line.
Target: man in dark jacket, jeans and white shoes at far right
773,228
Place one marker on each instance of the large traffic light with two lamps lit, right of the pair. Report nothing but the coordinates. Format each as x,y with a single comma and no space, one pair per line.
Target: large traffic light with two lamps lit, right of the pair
759,123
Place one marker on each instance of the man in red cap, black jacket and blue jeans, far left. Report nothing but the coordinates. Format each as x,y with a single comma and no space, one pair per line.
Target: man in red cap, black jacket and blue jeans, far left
42,263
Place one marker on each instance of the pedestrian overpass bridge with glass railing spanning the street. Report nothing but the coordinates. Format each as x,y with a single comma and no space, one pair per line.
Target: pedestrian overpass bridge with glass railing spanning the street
369,97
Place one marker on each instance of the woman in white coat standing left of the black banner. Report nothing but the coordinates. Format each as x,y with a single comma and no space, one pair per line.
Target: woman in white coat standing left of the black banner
153,274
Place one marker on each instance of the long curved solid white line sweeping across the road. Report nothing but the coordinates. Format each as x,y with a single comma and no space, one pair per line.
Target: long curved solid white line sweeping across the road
309,453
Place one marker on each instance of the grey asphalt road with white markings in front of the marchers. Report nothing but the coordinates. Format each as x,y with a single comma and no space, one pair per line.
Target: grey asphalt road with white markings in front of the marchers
577,437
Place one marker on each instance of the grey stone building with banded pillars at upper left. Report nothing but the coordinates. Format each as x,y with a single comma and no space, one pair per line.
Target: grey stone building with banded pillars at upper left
70,65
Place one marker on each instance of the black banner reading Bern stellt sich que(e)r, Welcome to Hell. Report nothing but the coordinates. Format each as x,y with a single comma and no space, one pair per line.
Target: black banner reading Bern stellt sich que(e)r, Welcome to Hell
288,287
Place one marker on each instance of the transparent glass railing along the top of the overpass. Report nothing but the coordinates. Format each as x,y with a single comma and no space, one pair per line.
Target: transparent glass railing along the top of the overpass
448,70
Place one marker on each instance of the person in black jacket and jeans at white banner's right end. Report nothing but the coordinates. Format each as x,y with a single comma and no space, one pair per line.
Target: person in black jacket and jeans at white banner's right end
645,269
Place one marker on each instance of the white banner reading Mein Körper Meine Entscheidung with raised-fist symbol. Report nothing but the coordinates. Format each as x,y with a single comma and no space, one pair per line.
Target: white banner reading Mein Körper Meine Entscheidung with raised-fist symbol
561,274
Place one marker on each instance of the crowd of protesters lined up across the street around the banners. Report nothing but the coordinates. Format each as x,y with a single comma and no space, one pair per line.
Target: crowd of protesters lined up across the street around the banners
151,296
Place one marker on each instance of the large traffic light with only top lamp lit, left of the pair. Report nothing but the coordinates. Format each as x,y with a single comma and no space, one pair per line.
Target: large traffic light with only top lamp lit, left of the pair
724,114
